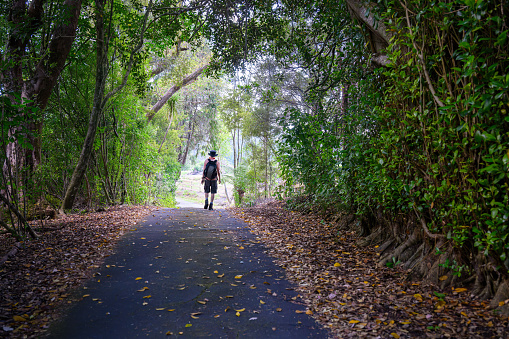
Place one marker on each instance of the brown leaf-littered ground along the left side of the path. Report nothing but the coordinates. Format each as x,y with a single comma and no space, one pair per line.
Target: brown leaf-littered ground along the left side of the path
38,280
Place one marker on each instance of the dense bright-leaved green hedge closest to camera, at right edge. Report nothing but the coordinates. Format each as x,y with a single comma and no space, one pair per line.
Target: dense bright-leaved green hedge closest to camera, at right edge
448,151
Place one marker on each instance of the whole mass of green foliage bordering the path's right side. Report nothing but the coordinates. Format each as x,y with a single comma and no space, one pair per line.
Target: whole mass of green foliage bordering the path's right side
424,138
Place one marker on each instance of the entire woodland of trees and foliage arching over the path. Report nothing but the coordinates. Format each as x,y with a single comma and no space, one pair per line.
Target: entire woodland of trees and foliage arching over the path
393,113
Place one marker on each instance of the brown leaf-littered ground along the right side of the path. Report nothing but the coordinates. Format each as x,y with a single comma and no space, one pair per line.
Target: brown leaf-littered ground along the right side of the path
346,292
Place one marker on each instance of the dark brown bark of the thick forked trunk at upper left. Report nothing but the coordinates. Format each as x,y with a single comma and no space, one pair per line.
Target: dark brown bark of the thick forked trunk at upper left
25,22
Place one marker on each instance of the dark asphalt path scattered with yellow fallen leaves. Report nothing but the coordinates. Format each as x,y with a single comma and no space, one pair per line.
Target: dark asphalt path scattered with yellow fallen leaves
189,273
